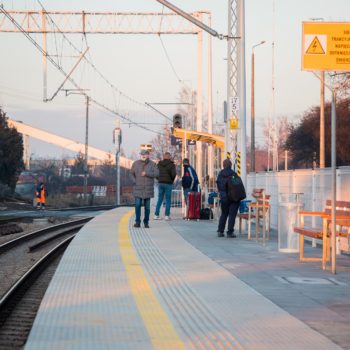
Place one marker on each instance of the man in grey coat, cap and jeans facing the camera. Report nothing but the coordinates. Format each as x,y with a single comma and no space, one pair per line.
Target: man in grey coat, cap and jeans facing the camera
143,172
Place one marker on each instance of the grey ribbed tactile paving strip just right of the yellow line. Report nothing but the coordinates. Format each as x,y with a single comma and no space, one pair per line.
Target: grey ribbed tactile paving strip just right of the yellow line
201,327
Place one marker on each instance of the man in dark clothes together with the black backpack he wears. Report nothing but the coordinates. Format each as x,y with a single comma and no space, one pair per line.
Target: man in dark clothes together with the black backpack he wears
230,188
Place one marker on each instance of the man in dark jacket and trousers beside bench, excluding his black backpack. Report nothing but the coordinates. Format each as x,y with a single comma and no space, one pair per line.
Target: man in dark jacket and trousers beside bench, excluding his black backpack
228,209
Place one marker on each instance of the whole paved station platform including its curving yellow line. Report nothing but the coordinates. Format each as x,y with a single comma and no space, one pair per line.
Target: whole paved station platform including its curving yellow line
177,285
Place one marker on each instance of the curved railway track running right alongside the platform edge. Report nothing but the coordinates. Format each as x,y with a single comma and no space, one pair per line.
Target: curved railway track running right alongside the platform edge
27,265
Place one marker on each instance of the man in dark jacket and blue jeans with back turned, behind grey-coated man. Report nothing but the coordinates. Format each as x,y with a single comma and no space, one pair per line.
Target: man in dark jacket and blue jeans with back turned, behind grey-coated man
167,174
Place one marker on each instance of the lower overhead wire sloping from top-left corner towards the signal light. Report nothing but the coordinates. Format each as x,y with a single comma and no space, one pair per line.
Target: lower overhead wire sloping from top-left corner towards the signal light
72,81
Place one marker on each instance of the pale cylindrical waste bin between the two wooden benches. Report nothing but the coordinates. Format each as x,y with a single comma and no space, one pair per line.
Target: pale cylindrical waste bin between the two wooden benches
289,207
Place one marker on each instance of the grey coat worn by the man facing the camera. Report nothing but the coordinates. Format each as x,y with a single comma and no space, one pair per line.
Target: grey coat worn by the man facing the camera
144,185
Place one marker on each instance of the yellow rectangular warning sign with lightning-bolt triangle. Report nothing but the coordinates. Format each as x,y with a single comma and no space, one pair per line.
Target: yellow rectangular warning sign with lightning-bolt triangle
326,46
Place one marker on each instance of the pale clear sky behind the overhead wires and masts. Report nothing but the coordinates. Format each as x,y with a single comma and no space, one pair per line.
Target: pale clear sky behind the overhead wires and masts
143,68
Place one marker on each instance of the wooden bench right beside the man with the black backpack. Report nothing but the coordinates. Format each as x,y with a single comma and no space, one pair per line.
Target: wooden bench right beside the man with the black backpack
258,210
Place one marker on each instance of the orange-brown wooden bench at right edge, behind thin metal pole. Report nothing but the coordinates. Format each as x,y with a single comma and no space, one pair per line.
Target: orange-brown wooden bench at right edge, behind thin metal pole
323,232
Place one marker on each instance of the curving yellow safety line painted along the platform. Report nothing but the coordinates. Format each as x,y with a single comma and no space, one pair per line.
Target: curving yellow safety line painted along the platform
160,329
